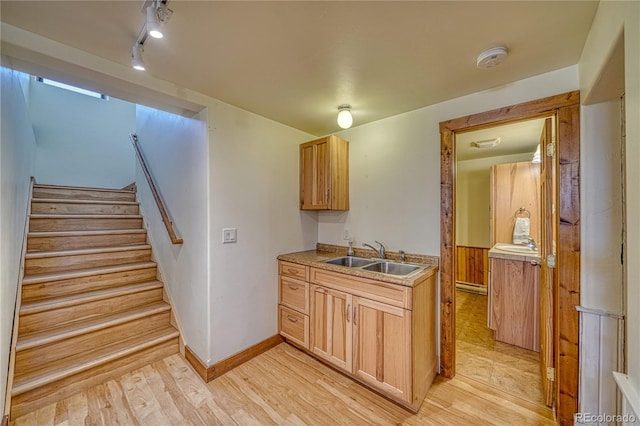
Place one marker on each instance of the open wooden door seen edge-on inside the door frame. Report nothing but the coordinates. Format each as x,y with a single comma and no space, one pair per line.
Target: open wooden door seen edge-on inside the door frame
549,230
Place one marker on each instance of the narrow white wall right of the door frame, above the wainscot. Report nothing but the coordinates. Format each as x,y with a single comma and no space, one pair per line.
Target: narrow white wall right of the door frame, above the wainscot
601,208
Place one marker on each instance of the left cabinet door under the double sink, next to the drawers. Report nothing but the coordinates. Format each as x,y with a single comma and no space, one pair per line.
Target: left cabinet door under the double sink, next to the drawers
331,330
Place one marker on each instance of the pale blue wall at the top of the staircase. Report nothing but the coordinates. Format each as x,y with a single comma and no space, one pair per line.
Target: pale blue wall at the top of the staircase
82,141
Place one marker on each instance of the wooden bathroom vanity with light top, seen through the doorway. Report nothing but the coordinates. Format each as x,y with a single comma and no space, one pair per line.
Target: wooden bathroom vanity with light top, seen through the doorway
514,295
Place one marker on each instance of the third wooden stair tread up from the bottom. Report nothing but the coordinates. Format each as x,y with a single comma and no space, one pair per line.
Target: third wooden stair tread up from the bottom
78,299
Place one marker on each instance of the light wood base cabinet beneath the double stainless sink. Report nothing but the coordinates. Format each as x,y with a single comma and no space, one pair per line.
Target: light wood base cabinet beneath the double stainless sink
379,333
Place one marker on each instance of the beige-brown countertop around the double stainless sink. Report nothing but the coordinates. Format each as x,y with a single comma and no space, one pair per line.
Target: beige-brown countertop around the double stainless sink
314,258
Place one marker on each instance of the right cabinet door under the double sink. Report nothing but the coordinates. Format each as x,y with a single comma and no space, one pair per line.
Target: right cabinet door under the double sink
382,347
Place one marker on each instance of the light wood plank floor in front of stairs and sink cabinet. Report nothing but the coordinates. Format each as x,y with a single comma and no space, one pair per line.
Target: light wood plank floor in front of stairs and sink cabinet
283,386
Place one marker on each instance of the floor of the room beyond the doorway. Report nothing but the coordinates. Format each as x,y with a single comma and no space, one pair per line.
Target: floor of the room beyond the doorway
479,356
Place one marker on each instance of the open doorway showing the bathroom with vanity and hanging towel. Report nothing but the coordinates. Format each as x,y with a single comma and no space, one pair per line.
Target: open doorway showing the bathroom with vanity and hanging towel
498,184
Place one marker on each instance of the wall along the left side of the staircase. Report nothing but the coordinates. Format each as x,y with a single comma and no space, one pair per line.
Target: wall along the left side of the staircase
17,154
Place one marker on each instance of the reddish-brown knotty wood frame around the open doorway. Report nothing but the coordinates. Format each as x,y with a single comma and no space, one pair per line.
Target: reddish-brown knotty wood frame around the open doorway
566,108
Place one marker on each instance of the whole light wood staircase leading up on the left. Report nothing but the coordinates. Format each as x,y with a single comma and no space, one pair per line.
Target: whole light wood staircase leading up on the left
91,308
